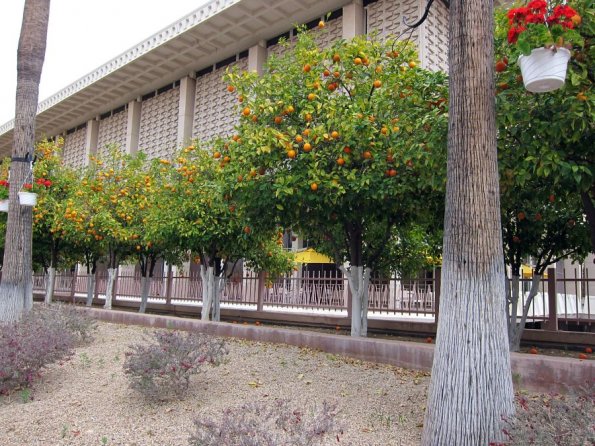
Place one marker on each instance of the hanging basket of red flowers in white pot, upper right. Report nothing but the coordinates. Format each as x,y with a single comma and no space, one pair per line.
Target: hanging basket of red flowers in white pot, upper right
543,34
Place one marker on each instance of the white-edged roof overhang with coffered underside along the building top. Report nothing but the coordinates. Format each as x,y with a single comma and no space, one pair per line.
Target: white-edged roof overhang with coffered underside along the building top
217,30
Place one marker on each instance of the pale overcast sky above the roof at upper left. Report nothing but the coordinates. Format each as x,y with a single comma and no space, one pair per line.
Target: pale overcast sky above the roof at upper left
82,35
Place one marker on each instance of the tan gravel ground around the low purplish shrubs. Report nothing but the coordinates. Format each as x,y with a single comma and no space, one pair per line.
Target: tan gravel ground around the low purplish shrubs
86,400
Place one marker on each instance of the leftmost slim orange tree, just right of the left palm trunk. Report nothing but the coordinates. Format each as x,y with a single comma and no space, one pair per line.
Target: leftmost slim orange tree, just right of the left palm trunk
54,183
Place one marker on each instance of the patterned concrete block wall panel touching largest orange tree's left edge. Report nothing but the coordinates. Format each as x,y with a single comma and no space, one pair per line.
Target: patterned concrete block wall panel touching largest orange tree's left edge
215,113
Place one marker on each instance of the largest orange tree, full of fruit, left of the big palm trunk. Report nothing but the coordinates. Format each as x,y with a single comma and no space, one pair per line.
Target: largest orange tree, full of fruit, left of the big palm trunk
343,144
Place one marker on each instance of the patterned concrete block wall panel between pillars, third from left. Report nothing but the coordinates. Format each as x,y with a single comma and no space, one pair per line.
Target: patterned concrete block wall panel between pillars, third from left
159,124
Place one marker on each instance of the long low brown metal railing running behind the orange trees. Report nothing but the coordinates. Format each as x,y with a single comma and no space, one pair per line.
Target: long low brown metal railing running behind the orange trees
565,303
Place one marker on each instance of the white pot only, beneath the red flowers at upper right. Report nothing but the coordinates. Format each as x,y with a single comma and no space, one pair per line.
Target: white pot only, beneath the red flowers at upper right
544,69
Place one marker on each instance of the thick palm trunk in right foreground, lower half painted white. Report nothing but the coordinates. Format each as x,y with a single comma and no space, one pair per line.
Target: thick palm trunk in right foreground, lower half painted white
471,386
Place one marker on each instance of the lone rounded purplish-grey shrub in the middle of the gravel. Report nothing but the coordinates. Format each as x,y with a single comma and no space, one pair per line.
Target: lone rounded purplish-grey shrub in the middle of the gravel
163,367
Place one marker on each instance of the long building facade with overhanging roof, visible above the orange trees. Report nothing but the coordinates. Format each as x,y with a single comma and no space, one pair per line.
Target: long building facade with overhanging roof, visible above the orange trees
168,89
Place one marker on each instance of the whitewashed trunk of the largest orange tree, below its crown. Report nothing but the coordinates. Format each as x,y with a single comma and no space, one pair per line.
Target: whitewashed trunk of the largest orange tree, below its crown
358,279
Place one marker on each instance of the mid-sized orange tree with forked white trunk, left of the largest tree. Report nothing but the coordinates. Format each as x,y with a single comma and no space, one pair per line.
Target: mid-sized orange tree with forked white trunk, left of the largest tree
194,209
